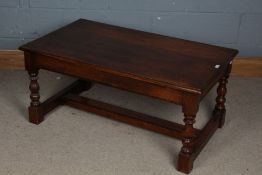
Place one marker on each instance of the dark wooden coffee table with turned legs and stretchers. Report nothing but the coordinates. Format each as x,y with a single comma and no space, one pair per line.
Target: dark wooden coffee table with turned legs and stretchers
171,69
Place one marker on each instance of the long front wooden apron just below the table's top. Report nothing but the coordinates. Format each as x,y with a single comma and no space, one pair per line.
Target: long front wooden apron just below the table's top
90,73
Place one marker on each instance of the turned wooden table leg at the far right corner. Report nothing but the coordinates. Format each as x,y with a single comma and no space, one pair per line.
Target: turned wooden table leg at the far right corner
221,98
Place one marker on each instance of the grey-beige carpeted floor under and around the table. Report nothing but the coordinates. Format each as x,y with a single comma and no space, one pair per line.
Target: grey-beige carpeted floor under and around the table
70,141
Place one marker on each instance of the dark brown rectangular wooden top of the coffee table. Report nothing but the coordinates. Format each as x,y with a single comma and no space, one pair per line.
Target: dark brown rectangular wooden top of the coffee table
162,60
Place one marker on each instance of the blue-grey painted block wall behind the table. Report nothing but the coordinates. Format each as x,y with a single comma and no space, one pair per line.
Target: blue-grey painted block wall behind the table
232,23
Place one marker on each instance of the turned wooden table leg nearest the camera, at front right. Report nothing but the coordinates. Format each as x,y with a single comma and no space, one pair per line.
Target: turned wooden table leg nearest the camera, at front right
185,159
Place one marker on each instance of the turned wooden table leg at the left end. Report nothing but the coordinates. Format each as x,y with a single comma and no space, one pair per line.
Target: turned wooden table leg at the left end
35,111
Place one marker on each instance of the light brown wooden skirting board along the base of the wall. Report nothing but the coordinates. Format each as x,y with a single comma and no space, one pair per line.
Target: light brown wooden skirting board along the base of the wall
245,67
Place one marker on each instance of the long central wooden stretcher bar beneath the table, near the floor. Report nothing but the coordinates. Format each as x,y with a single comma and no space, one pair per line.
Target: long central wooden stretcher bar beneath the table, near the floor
124,115
